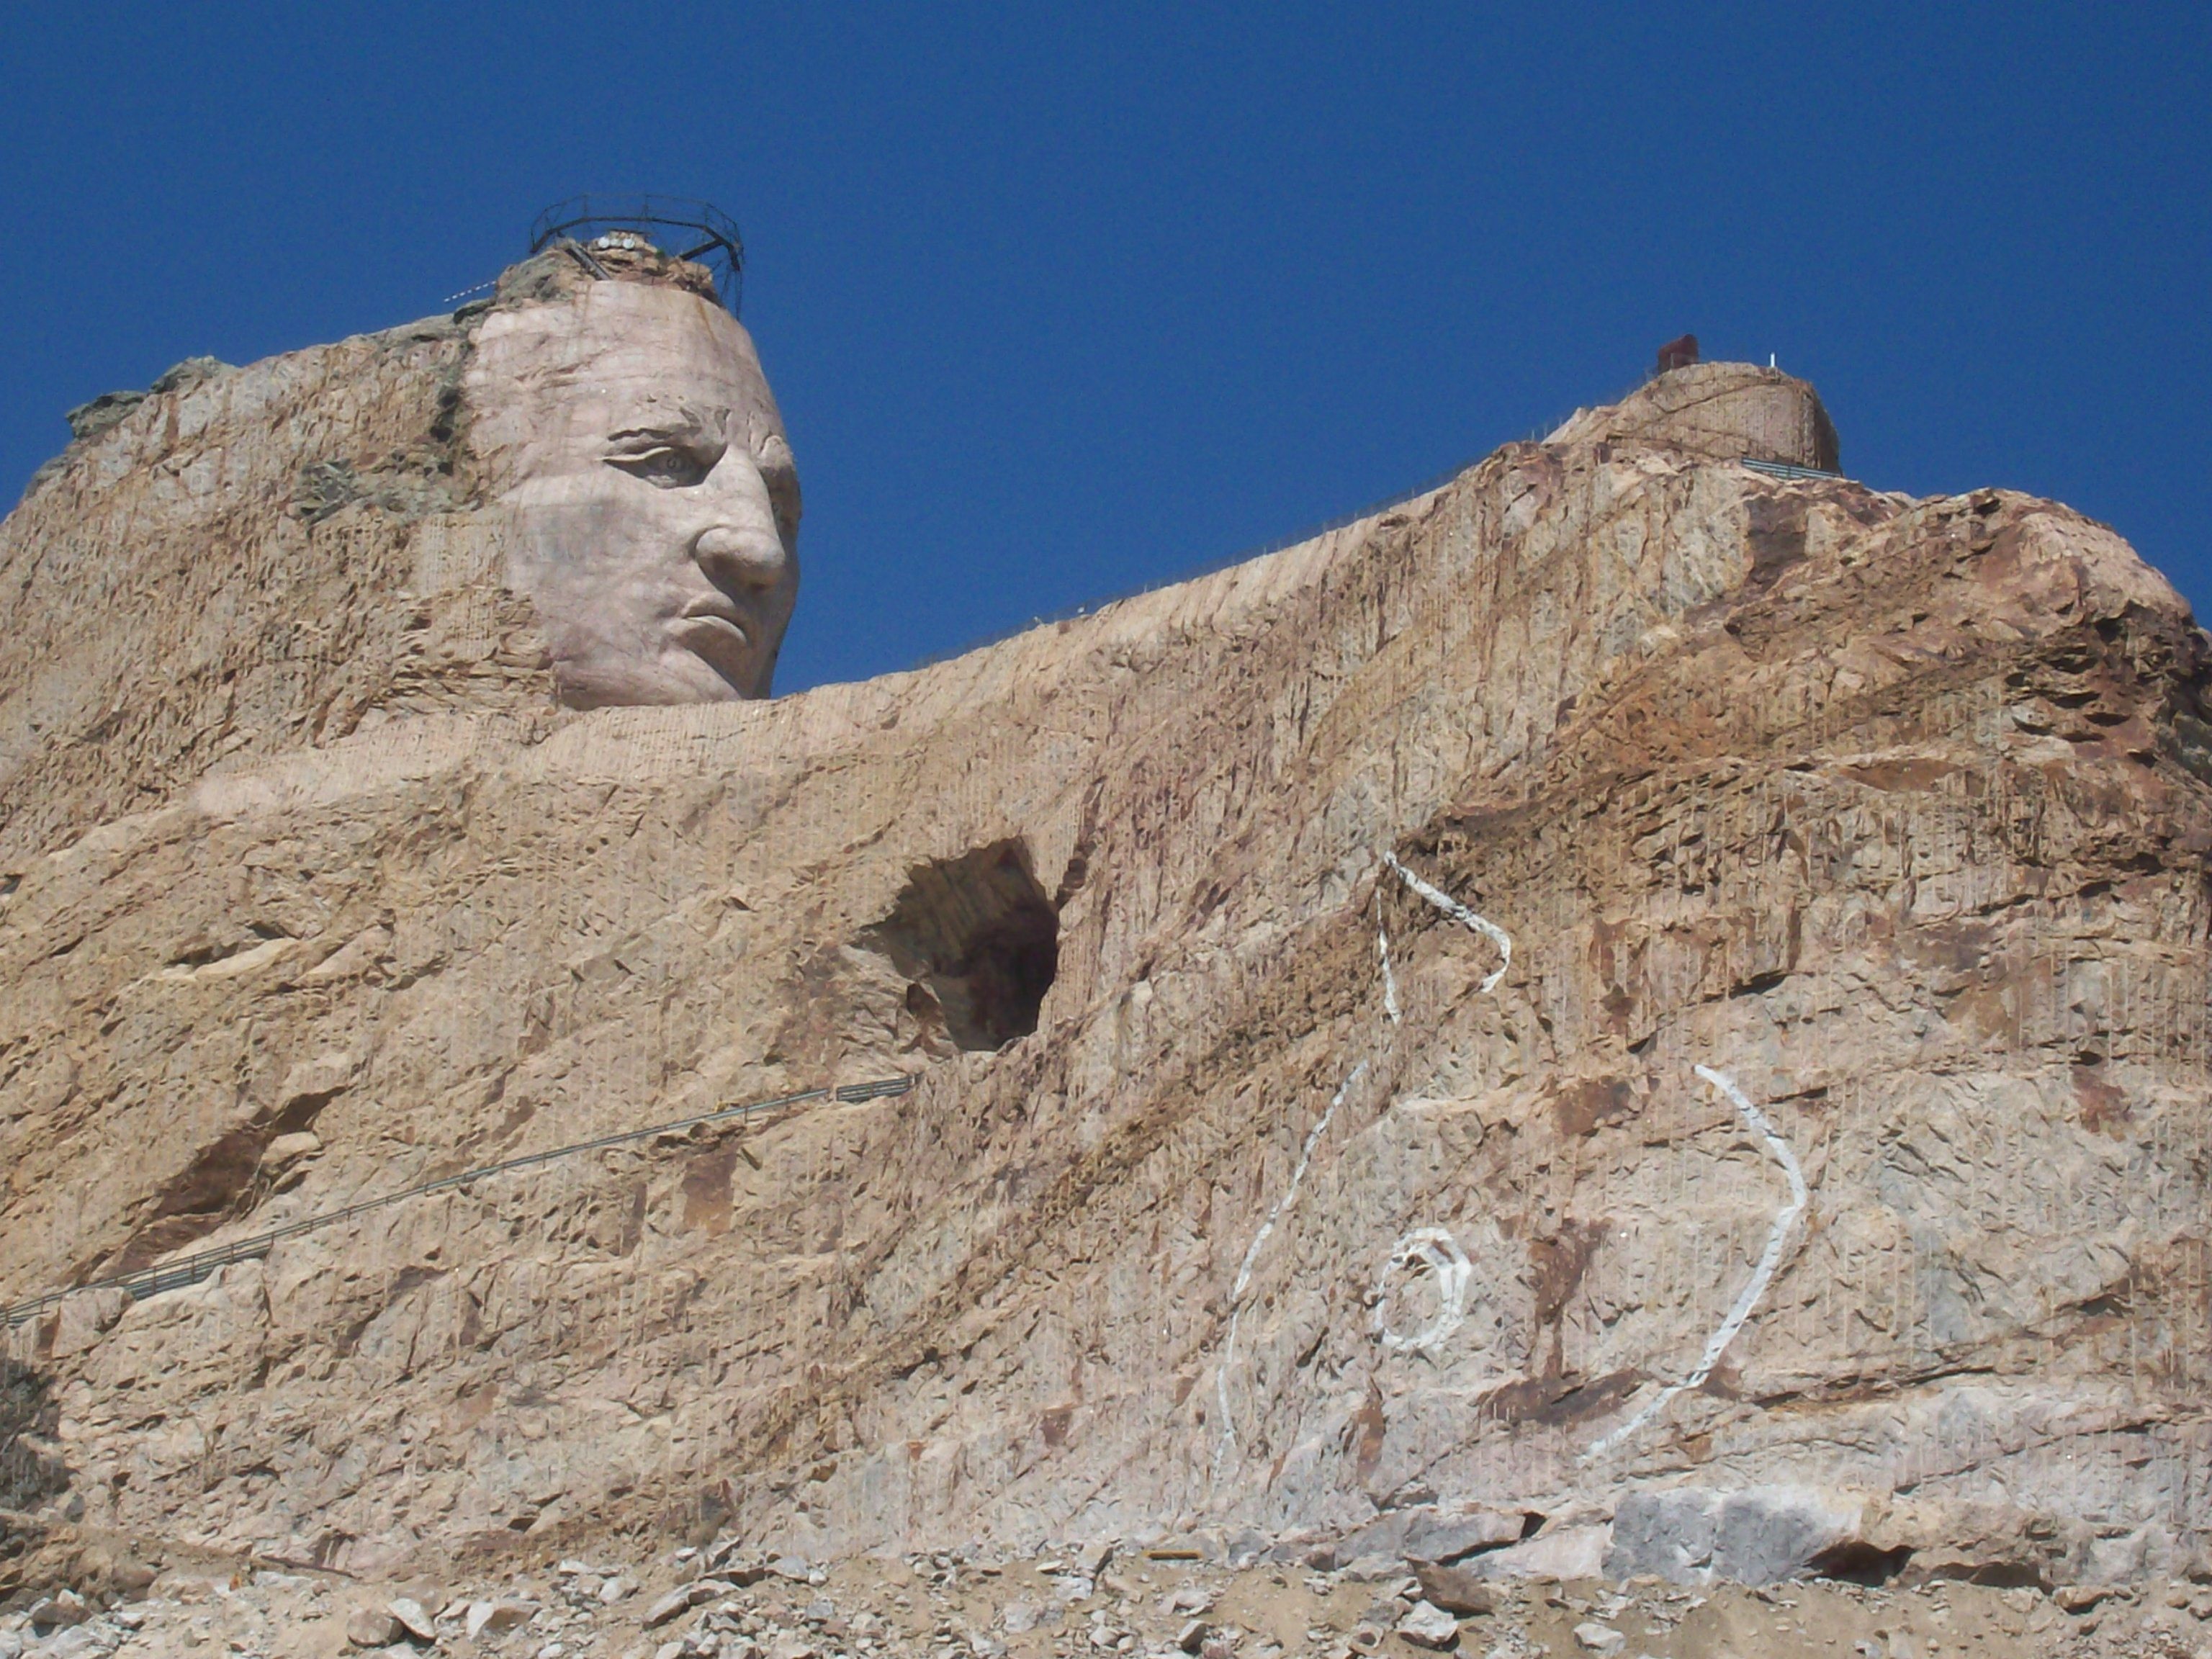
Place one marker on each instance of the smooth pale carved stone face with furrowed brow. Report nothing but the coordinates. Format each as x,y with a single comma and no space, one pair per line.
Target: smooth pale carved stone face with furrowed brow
656,503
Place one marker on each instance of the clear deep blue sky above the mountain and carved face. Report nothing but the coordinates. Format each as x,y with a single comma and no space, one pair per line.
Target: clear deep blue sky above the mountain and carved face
1074,300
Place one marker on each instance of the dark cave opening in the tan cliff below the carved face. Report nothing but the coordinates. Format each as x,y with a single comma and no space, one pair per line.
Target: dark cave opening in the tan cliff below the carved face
979,939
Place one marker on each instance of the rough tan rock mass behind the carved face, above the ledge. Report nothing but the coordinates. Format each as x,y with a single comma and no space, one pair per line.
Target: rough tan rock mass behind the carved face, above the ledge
249,563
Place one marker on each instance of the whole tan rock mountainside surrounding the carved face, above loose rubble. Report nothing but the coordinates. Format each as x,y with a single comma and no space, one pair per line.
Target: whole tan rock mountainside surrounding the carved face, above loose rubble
1304,1209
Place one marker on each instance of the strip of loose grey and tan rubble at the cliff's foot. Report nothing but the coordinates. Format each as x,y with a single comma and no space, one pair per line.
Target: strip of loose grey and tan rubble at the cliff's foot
731,1605
